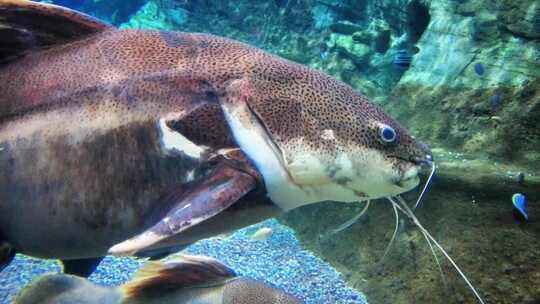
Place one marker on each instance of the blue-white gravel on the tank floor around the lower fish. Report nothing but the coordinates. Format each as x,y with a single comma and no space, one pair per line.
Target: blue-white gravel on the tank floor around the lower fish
280,261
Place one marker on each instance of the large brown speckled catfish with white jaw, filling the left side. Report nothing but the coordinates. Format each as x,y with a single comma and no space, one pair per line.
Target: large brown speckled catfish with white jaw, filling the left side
131,142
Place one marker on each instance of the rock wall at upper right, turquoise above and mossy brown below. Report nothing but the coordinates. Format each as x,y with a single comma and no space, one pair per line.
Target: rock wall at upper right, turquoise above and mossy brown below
474,85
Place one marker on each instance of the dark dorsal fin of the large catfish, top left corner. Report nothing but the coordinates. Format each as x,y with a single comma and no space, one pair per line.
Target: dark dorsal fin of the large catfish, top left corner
27,25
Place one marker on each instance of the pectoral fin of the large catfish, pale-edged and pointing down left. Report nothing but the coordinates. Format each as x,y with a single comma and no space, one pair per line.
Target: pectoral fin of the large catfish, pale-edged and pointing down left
193,203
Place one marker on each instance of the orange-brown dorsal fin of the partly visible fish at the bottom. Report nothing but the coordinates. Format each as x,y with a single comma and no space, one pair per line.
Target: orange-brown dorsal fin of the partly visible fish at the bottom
189,271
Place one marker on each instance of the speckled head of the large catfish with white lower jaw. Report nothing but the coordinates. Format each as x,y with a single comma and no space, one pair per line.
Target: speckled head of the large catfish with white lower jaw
322,140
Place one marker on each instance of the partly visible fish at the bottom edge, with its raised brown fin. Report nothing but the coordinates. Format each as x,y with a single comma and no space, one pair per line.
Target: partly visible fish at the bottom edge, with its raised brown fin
190,280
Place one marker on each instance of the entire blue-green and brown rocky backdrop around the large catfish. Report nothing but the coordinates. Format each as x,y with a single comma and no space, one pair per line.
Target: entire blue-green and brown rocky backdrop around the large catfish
463,75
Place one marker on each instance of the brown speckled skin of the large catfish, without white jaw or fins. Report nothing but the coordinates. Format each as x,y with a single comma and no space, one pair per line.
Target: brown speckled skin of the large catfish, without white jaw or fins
83,160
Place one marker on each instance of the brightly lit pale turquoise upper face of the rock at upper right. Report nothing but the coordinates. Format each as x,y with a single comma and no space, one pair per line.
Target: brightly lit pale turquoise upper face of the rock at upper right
452,42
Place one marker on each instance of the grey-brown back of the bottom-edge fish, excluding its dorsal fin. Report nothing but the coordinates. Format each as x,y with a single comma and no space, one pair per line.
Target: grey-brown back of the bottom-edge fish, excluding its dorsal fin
73,289
